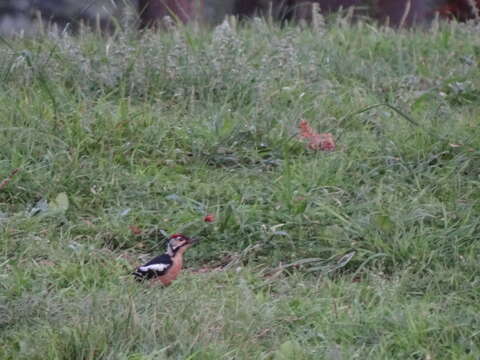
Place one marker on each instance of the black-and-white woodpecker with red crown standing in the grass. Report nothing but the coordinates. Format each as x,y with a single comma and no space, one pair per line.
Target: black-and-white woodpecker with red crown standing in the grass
166,267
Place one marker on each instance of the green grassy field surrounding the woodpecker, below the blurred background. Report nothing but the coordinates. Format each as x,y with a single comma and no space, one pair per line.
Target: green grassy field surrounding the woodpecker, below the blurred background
156,131
